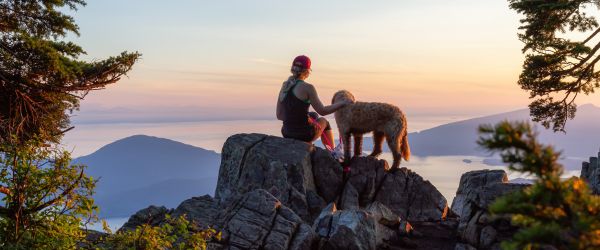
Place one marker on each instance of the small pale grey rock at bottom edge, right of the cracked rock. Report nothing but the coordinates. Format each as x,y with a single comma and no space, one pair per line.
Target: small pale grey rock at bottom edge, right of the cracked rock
345,229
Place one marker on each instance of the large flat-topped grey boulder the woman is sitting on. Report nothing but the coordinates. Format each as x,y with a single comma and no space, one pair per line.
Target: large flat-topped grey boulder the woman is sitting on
253,161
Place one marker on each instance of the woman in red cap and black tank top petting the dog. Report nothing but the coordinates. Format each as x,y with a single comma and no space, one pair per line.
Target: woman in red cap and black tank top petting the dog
295,97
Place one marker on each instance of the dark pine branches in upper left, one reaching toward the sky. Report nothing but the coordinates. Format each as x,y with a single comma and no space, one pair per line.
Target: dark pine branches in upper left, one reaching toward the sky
40,74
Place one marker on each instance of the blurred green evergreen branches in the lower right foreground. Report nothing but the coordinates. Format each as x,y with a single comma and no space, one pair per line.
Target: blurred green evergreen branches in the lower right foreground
552,213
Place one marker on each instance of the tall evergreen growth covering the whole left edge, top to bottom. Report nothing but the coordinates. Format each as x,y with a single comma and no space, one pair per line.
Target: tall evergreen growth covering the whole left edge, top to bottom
45,198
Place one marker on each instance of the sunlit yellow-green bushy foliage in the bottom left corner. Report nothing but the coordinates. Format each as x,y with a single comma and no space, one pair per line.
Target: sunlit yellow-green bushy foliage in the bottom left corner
46,199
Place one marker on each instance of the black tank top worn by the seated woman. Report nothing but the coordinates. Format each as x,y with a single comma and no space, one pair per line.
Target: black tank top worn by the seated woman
295,112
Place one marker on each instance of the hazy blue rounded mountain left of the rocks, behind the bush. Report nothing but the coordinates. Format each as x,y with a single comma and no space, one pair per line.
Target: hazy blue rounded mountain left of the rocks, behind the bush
140,170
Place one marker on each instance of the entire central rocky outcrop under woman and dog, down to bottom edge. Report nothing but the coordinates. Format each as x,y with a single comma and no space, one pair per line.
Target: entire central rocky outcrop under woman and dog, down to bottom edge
271,190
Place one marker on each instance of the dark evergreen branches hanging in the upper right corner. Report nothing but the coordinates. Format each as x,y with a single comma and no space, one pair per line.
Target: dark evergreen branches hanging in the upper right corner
557,68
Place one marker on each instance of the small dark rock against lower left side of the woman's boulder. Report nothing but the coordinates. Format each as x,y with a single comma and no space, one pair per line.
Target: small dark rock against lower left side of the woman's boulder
198,210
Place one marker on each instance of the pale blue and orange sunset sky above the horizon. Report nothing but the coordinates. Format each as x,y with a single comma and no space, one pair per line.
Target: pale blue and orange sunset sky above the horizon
226,60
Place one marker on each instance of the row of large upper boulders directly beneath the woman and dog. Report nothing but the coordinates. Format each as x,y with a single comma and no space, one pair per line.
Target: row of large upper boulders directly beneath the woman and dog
306,178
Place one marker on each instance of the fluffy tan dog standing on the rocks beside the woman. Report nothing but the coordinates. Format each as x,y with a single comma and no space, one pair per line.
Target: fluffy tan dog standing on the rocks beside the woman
384,120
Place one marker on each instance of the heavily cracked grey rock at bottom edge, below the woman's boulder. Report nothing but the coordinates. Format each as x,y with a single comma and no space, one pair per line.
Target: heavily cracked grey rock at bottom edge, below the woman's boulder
257,220
